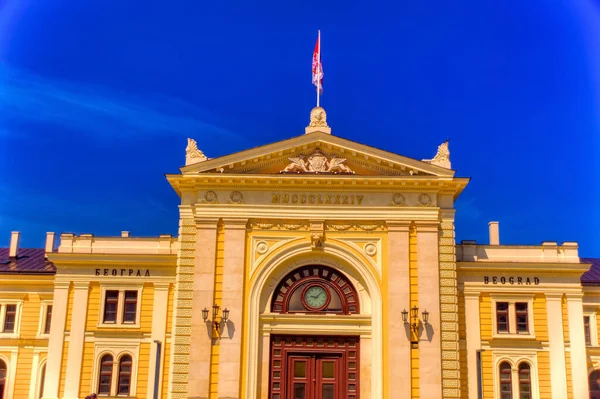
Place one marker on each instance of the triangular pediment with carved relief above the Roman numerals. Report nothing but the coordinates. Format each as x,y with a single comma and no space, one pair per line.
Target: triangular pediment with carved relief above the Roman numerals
317,153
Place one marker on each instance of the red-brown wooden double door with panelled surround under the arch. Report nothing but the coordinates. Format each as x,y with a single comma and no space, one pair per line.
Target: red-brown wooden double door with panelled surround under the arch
314,368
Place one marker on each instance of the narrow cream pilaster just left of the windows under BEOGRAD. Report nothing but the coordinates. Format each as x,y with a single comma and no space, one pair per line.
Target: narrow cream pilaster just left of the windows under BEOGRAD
473,340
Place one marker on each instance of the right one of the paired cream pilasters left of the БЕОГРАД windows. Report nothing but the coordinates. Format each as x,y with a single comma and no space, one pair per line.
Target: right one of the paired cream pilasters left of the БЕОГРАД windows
76,340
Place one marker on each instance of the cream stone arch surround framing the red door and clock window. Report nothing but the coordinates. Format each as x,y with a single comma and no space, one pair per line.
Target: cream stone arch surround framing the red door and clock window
265,324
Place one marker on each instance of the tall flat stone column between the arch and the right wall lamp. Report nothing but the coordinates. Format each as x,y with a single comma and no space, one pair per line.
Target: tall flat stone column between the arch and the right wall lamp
397,374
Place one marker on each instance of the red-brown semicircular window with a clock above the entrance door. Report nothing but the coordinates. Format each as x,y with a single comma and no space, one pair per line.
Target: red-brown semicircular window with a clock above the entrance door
315,289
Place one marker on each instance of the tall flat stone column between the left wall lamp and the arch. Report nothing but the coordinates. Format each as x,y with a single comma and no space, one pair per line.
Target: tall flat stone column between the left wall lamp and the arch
230,354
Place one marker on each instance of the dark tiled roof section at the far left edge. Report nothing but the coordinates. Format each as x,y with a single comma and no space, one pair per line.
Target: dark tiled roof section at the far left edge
28,261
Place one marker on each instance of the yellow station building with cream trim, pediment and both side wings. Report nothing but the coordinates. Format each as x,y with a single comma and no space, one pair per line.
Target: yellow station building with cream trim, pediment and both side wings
314,267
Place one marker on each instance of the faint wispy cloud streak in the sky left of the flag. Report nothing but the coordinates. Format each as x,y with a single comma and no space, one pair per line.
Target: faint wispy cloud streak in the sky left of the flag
97,111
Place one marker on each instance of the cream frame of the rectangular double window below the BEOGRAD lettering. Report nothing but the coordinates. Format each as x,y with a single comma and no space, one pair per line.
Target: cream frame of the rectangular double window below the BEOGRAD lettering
512,300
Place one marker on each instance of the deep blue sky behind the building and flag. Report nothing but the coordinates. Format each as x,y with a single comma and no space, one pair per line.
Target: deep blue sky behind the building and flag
97,99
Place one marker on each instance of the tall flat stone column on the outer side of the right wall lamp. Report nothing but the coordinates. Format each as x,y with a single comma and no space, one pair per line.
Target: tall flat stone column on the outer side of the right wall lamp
430,349
